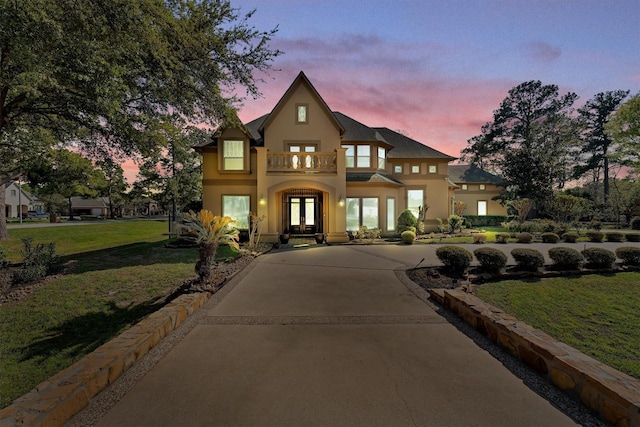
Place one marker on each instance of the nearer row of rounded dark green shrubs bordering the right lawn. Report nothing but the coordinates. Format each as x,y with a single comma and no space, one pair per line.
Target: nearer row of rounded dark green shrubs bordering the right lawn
457,259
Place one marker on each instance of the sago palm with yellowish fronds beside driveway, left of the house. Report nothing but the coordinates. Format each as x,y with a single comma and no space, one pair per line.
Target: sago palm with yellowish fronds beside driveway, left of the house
209,231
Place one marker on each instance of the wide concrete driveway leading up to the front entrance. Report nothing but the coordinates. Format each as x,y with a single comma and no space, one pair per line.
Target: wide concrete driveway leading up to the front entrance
329,336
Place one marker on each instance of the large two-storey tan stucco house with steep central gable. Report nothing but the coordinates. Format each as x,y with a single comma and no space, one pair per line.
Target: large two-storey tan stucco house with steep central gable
310,170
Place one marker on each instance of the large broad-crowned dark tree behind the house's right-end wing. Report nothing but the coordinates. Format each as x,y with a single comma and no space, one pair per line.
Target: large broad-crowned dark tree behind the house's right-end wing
526,144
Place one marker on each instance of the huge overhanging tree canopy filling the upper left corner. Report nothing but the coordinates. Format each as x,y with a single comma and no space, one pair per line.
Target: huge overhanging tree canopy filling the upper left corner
96,71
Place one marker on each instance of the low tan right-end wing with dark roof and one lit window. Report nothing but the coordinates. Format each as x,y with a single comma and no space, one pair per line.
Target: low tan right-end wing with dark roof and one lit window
476,188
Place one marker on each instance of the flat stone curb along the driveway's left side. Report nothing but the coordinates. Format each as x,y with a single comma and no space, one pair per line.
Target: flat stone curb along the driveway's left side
58,399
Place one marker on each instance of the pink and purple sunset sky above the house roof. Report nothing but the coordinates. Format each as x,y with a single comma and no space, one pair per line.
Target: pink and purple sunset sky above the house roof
436,70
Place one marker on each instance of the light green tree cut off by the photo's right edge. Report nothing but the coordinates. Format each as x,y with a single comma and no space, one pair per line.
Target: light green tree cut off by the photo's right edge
624,130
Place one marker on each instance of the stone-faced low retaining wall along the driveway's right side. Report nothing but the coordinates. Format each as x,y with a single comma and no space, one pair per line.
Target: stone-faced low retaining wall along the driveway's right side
612,395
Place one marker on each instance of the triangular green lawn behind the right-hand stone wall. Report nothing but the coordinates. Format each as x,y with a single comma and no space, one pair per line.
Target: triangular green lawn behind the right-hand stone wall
596,314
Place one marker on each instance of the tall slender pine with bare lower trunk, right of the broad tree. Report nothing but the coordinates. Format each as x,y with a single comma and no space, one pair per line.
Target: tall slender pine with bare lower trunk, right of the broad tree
595,152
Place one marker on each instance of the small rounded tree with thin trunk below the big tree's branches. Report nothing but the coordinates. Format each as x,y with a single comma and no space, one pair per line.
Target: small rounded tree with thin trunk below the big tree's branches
67,174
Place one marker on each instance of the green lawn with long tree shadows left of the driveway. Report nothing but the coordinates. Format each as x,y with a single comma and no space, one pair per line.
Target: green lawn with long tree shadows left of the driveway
119,274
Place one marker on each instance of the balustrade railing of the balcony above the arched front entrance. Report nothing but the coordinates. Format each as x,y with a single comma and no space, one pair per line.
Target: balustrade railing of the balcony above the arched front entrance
316,162
